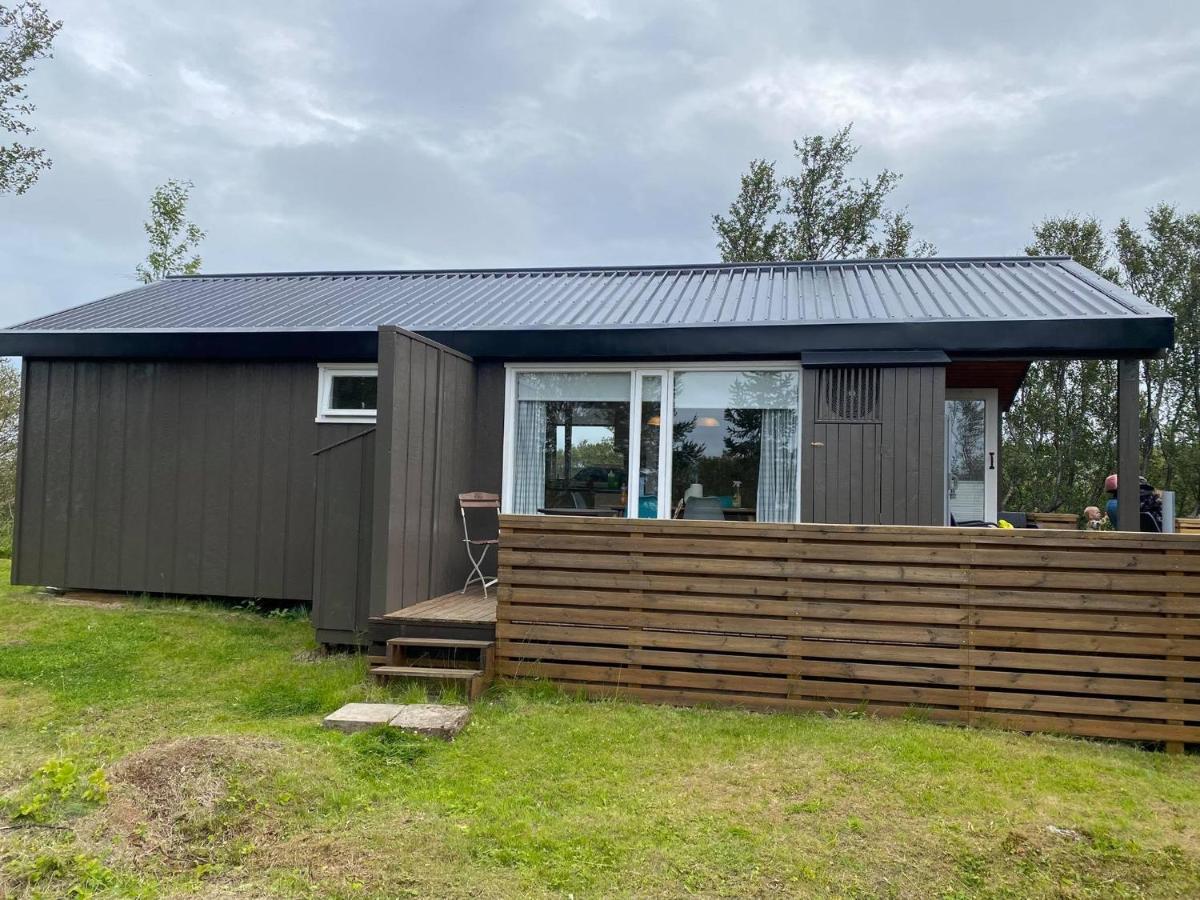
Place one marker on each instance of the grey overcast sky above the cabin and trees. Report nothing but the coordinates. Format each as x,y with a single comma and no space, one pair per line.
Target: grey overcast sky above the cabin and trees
465,135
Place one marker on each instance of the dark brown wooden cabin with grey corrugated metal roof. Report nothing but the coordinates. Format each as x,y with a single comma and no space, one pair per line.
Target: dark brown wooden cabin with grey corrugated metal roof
303,437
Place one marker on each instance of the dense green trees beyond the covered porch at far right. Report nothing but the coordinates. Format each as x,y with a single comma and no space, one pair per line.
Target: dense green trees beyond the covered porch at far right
1061,433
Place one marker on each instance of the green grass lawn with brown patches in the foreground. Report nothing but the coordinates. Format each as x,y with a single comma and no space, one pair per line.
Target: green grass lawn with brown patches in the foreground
165,749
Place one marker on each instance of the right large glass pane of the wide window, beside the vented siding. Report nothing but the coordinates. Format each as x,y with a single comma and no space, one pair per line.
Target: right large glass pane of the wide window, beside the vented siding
735,446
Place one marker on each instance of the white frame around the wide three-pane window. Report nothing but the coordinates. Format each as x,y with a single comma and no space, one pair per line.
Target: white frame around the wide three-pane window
637,371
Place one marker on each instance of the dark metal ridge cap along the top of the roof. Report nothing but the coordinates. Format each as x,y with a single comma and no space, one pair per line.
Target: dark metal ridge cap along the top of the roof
650,268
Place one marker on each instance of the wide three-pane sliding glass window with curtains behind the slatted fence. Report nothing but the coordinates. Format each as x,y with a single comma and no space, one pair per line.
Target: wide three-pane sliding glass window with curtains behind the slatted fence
682,442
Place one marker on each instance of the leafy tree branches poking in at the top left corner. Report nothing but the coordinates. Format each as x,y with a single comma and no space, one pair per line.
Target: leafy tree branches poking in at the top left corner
27,34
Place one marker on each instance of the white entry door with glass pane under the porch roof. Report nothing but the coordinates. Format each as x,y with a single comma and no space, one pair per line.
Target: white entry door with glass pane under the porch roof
973,427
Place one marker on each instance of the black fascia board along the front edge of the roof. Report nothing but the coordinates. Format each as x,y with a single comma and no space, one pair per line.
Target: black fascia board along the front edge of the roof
1011,339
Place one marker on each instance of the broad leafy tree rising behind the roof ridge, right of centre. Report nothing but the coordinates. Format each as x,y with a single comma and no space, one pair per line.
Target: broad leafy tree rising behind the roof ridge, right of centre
821,213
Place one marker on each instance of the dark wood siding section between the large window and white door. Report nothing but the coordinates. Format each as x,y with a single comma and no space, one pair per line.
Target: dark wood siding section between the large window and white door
887,470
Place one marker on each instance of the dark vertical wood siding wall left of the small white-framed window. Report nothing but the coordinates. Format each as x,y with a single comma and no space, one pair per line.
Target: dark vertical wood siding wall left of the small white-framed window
185,478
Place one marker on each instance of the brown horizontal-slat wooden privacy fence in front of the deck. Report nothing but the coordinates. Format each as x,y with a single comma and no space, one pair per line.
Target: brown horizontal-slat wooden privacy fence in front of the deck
1095,634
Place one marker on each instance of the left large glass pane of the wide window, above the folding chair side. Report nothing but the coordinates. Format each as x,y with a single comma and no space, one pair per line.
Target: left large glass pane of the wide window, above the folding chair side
572,448
